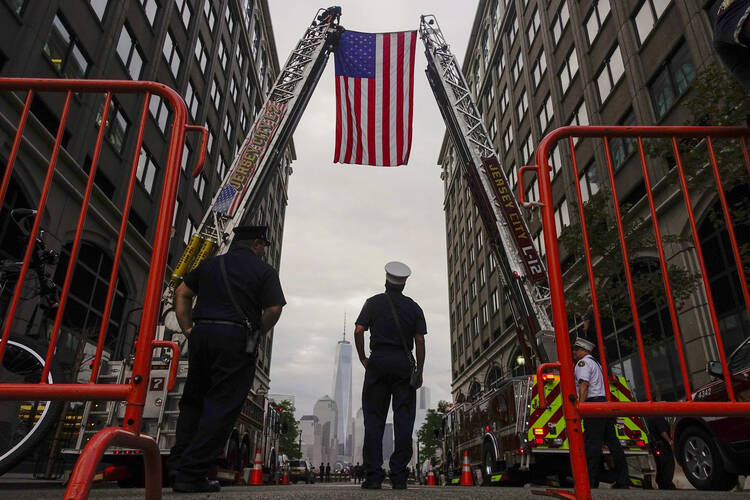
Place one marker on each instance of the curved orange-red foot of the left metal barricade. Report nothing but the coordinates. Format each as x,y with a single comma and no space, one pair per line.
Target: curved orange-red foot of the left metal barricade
83,474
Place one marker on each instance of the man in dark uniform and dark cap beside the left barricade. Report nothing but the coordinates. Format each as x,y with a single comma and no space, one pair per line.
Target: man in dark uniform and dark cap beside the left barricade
220,371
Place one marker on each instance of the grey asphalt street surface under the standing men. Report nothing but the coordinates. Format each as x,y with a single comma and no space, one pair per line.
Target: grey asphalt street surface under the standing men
349,490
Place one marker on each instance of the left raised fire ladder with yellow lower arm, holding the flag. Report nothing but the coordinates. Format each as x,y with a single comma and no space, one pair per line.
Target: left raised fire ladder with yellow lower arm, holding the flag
261,151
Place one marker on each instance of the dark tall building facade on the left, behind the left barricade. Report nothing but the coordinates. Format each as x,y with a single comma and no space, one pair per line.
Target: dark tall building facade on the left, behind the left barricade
220,56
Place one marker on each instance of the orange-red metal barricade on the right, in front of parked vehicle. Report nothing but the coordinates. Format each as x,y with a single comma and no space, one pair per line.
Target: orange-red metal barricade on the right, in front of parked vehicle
665,184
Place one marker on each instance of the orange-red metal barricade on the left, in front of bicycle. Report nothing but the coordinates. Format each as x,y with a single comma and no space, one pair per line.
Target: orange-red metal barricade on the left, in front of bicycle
133,392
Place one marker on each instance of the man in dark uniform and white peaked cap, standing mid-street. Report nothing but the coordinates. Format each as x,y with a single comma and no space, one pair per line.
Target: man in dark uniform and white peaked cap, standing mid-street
387,374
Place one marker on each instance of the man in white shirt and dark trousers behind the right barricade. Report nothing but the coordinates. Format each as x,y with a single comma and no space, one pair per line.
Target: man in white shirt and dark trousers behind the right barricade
597,431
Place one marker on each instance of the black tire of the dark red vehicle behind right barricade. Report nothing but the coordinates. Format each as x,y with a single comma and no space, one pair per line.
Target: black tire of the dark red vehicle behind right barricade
701,461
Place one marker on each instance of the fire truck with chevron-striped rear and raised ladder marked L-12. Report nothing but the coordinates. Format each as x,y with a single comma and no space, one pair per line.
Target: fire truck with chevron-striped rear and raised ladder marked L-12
508,434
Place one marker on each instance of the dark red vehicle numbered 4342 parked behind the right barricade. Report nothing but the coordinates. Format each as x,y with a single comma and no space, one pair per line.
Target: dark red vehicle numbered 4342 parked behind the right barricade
713,451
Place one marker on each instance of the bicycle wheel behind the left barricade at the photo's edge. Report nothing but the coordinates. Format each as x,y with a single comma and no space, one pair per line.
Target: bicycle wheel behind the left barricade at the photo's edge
23,424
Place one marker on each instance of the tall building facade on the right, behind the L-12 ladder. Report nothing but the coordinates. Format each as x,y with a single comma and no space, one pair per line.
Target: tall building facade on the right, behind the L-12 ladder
534,66
